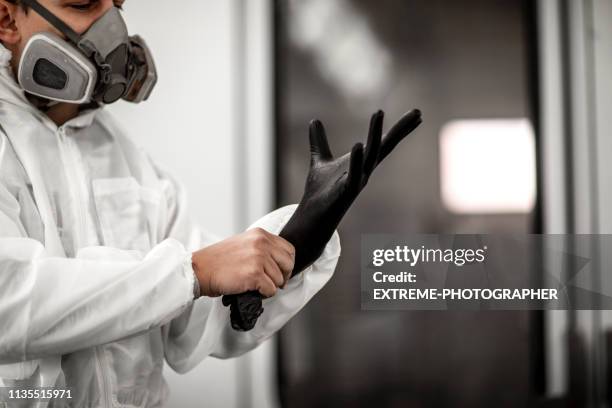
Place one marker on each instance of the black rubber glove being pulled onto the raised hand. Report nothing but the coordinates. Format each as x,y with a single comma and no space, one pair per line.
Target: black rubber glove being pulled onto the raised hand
332,186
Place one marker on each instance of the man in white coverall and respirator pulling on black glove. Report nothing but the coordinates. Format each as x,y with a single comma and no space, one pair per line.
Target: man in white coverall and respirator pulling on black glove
102,274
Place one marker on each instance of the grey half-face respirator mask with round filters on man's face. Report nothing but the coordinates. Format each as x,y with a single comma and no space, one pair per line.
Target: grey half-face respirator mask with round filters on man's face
102,65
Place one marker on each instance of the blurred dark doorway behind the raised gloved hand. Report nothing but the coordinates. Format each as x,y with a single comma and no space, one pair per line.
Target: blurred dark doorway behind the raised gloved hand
454,59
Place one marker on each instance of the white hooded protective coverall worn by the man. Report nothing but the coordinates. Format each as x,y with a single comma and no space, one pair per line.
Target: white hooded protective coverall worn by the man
96,282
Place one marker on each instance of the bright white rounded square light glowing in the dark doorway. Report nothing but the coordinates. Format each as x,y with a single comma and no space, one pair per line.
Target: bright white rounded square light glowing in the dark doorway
488,166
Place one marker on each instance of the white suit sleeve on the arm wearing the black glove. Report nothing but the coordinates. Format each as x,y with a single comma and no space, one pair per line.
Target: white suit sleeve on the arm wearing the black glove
204,328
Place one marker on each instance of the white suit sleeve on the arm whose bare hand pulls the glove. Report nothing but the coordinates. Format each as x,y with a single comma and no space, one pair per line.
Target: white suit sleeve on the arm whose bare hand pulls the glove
52,306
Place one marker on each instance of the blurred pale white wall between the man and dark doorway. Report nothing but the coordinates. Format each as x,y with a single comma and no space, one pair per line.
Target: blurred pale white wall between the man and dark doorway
208,122
